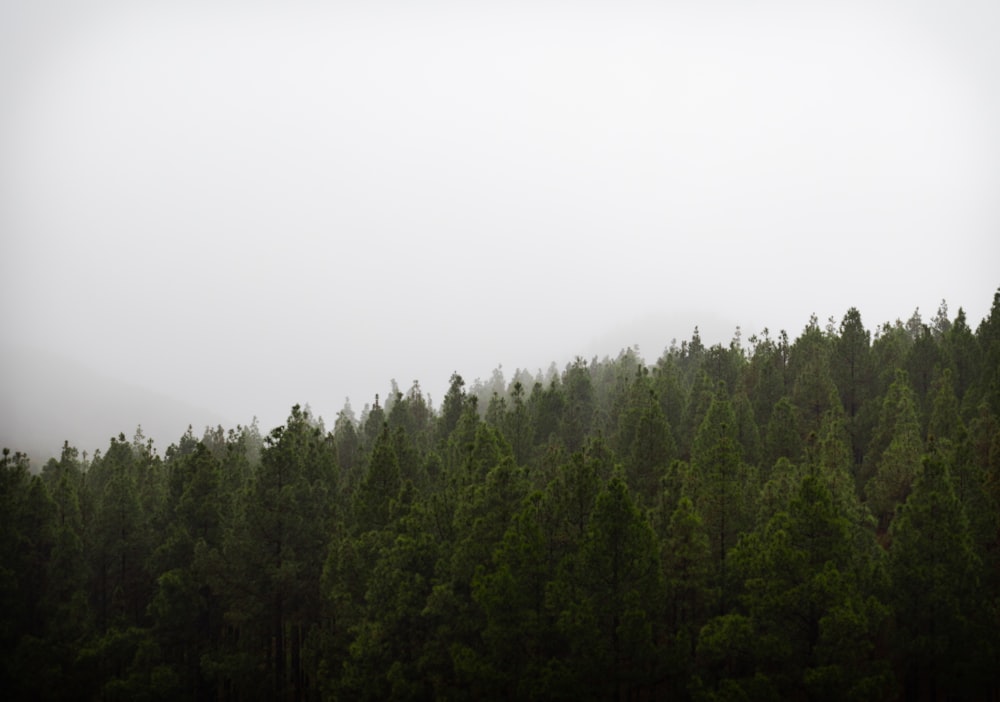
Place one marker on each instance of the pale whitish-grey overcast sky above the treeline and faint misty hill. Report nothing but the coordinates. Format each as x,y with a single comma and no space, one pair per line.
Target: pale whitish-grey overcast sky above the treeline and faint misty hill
247,205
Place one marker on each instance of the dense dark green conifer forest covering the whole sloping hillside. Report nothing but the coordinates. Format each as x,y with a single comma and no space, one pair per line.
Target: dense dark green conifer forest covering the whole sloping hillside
807,519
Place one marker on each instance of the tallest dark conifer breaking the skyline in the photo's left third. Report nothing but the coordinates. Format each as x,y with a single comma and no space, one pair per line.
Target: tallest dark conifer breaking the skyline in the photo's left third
276,549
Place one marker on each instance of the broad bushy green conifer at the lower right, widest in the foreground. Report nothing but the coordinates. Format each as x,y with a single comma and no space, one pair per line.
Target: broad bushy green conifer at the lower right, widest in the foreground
814,629
